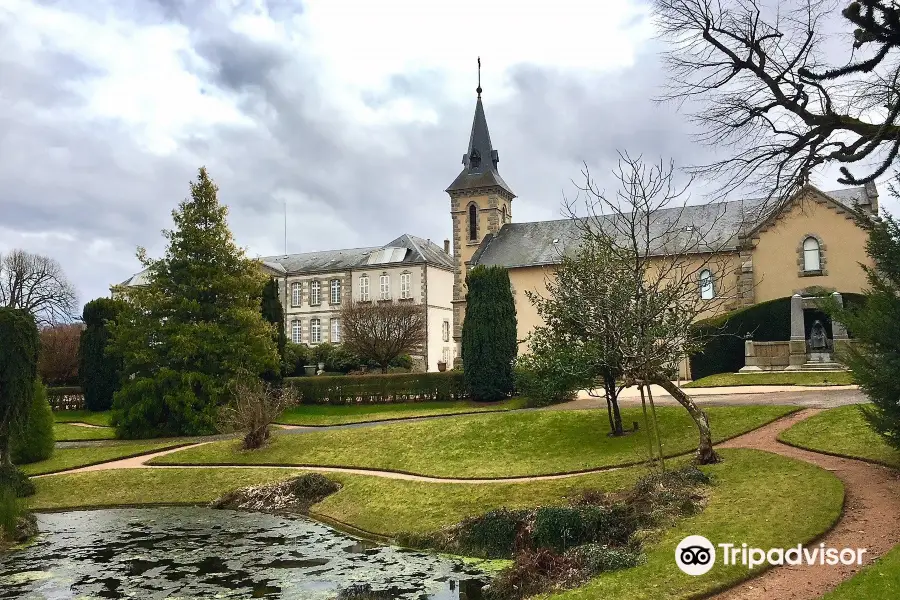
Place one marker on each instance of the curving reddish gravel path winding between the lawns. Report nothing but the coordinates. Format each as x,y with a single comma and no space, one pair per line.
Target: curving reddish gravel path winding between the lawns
870,519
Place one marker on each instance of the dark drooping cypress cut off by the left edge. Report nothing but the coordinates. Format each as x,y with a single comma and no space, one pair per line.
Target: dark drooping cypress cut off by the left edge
18,372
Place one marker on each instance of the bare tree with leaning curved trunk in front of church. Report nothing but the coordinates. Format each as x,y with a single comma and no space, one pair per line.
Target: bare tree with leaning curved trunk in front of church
669,264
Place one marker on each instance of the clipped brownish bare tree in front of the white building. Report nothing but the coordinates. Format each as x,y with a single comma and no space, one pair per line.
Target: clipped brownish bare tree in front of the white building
383,330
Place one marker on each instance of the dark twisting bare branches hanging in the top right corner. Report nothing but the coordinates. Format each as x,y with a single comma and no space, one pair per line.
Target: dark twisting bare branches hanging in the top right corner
766,91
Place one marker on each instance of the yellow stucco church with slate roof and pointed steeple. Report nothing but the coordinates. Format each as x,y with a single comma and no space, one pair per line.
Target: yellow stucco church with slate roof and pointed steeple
811,243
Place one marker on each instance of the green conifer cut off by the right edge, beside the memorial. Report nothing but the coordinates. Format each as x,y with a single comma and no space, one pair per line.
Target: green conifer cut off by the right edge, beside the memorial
875,326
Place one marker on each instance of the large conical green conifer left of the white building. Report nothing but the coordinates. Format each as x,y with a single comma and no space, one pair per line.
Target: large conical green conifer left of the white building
194,330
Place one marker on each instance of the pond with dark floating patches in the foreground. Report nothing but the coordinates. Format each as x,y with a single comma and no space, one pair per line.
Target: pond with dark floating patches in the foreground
191,552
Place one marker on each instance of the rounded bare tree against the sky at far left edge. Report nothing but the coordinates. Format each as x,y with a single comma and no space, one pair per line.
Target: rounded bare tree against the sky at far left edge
37,284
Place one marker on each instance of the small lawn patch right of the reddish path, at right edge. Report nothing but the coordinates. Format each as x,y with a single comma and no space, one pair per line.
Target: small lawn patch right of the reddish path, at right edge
843,431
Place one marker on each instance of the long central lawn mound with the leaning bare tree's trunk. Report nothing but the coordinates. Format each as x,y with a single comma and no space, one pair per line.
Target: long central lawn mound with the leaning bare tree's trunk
495,445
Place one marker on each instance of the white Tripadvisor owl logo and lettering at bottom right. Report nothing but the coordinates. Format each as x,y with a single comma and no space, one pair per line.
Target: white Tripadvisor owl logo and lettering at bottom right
696,555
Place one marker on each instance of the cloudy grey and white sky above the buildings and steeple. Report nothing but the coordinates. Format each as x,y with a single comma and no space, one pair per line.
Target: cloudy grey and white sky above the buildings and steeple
355,113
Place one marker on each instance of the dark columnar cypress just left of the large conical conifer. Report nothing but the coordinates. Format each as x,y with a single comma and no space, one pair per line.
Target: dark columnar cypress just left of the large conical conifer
99,370
